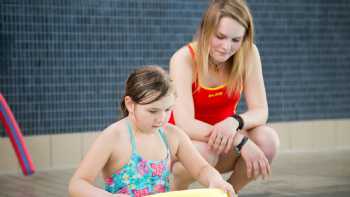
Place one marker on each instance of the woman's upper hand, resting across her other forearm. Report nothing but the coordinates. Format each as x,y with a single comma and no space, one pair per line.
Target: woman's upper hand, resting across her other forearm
222,135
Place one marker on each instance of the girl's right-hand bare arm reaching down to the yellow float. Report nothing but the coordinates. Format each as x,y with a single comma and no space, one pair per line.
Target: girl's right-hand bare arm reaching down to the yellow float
198,167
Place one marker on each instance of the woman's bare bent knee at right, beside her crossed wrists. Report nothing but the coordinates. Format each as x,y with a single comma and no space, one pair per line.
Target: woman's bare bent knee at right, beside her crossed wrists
267,139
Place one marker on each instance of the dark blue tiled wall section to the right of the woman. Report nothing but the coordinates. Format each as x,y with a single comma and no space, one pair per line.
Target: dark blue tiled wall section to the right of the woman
305,47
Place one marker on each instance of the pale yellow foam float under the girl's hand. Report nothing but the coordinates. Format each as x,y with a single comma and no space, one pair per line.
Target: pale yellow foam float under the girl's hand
193,193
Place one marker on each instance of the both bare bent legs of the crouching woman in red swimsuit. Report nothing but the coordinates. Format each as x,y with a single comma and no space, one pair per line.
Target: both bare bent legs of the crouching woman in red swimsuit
264,137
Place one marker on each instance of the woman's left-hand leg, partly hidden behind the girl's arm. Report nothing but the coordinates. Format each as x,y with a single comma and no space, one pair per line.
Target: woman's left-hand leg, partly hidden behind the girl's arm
182,178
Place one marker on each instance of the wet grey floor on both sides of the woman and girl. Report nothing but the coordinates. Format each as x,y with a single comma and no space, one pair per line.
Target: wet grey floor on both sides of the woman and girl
321,174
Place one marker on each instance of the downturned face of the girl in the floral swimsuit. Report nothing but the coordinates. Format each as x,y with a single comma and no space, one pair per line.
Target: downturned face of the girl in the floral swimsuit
151,116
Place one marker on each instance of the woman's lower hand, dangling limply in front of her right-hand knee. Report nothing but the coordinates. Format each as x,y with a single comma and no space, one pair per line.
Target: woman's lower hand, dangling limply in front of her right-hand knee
255,160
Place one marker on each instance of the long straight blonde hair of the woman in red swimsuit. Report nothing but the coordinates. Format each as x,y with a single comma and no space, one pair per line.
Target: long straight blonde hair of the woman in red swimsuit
236,71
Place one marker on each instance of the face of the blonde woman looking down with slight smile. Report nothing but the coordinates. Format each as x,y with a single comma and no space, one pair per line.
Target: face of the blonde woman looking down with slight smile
226,40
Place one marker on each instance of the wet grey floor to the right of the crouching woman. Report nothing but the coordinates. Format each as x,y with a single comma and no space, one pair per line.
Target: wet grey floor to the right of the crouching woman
322,174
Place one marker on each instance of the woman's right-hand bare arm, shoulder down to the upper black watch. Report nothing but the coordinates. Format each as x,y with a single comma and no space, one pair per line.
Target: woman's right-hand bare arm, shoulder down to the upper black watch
254,93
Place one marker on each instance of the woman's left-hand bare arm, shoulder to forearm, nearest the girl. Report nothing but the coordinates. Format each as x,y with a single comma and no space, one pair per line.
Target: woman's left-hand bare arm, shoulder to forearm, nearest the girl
181,72
